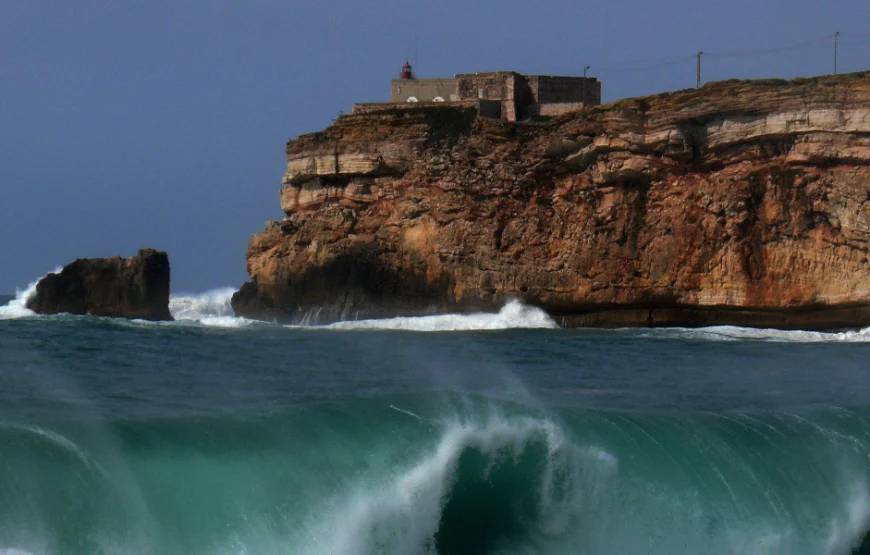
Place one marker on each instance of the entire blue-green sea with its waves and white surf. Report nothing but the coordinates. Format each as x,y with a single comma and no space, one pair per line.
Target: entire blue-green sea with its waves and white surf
450,435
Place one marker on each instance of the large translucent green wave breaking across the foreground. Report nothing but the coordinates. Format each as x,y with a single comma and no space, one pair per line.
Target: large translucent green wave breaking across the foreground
443,477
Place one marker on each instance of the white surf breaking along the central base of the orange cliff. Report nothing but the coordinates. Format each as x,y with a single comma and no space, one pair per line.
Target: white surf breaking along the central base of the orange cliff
513,315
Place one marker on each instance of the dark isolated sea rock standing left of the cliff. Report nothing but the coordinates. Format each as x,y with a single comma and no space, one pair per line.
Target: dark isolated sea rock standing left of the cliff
136,287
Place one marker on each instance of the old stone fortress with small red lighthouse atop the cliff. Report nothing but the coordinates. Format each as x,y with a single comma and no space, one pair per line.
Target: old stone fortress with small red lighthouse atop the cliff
506,95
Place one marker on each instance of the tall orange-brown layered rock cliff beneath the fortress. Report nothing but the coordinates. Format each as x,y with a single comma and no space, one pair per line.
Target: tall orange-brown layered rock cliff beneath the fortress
738,203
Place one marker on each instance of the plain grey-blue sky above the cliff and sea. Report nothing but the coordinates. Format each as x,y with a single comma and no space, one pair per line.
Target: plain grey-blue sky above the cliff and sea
162,124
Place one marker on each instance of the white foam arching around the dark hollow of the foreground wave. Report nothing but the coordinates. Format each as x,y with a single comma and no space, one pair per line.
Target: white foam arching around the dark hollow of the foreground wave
403,514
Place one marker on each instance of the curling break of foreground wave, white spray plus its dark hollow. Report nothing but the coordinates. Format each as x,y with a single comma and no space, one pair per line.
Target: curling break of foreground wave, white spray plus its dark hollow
484,487
